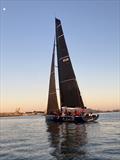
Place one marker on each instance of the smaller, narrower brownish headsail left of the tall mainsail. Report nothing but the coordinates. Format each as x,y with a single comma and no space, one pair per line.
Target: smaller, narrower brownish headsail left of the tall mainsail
52,105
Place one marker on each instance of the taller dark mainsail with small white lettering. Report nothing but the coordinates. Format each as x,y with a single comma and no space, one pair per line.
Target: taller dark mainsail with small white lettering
69,91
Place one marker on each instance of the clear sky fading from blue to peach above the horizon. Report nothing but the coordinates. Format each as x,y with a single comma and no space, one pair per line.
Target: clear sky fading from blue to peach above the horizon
92,33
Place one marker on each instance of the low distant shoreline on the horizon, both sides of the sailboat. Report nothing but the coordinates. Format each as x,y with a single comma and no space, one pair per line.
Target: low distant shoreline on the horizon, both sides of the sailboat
14,114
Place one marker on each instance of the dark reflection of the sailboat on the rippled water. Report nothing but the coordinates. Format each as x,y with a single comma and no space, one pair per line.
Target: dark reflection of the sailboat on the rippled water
67,140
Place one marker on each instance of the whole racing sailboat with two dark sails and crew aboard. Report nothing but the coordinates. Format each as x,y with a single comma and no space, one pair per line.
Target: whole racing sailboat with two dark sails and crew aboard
72,108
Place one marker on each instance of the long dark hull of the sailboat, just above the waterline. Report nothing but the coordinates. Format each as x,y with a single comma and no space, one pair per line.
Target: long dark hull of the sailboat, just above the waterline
74,119
